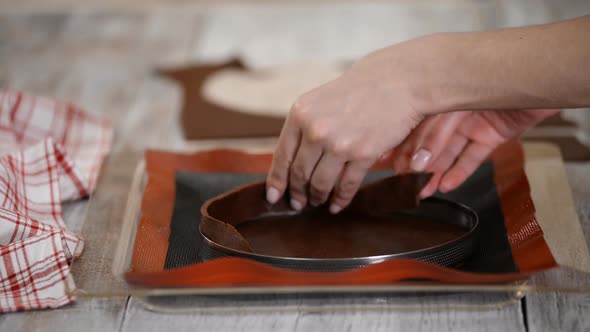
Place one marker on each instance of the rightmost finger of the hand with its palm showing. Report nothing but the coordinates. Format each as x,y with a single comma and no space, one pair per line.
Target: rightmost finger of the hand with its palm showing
474,154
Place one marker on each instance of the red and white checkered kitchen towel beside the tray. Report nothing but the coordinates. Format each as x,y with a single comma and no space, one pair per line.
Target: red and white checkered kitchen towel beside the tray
50,152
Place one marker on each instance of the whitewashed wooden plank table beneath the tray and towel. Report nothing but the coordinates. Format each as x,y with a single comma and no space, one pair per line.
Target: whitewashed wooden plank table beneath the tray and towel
104,61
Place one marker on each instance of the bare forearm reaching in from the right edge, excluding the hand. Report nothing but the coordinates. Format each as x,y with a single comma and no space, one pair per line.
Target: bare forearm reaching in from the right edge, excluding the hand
545,66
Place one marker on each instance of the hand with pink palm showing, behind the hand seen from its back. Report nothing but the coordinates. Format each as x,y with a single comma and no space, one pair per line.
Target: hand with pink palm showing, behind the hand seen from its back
453,145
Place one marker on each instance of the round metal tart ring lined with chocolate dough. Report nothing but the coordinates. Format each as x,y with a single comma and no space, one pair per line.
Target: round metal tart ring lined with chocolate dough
385,221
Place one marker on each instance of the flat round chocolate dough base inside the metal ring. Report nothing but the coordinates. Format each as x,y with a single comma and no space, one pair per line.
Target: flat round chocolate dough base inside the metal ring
318,234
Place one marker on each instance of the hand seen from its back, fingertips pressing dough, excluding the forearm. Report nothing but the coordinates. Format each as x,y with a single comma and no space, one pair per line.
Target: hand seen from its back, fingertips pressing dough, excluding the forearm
334,133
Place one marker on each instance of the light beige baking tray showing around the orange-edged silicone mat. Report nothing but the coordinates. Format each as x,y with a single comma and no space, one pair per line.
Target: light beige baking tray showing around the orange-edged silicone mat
545,169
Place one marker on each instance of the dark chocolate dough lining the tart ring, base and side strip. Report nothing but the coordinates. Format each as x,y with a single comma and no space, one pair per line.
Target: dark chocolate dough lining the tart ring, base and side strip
367,221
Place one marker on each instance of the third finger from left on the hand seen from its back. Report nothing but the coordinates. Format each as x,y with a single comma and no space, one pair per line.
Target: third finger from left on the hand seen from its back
324,178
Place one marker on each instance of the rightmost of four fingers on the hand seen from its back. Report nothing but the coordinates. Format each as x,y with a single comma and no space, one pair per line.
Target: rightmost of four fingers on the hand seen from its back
349,183
